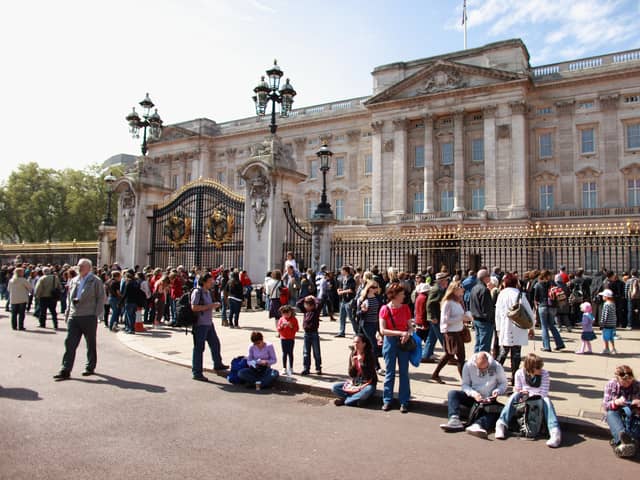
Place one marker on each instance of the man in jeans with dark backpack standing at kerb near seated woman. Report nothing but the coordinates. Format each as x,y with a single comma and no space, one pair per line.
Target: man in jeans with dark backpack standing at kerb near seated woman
204,331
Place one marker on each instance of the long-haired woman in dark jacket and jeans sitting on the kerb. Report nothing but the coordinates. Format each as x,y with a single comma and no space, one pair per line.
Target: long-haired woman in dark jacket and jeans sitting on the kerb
362,372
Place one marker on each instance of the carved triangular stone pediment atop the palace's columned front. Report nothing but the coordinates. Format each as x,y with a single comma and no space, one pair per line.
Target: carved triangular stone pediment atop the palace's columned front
444,76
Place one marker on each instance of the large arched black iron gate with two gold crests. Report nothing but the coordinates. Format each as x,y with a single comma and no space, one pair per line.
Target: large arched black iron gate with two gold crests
202,225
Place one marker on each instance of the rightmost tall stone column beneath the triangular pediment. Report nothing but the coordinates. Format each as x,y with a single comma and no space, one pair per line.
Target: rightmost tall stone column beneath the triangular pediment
519,172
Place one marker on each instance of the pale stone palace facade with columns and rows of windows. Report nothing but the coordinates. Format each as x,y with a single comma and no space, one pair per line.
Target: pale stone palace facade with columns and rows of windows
476,147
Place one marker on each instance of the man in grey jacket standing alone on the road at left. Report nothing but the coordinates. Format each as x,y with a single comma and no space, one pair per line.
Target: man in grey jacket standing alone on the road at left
85,303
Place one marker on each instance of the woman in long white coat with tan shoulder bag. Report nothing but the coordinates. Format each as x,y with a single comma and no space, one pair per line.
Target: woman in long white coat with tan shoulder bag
511,337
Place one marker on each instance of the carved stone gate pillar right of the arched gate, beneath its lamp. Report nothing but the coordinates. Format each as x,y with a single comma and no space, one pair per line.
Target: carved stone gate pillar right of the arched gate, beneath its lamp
271,177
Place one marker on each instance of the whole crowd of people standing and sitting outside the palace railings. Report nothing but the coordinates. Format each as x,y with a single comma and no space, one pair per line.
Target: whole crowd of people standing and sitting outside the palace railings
394,316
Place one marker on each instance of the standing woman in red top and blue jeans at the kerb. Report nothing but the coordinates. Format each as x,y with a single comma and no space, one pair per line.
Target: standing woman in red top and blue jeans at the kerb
395,325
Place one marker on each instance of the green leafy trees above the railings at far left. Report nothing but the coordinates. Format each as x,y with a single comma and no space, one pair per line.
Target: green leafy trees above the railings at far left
39,204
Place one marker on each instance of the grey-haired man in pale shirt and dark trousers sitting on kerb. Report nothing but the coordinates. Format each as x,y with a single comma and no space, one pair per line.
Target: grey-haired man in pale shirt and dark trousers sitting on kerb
483,380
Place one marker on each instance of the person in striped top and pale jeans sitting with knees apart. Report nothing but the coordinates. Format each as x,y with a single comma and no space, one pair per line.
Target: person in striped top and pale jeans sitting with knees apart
531,380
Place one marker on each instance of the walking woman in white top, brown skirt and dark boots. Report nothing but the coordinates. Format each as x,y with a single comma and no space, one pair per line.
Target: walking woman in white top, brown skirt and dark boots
452,318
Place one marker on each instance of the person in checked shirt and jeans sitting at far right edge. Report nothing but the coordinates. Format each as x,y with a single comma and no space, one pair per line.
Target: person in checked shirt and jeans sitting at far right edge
621,402
